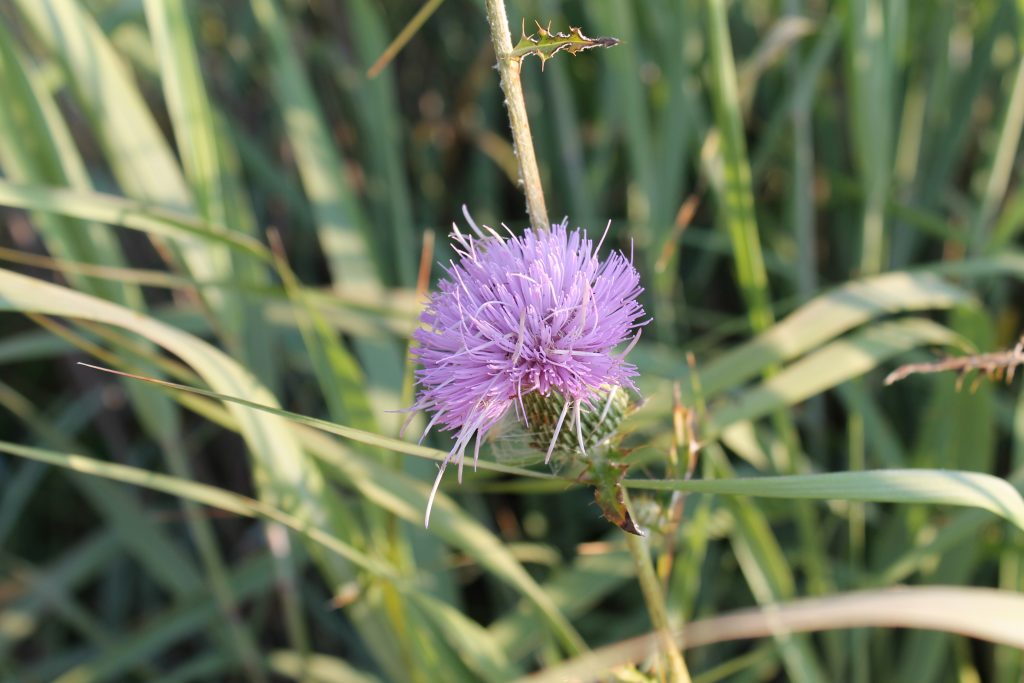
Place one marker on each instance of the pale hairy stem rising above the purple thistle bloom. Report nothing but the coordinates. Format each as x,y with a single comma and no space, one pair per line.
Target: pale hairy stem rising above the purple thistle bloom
509,69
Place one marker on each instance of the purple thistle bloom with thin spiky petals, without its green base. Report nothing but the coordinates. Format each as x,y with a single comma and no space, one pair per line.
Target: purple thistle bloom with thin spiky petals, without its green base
533,314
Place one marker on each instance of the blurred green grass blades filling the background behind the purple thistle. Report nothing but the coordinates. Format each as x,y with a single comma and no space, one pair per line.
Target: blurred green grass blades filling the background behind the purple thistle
218,194
